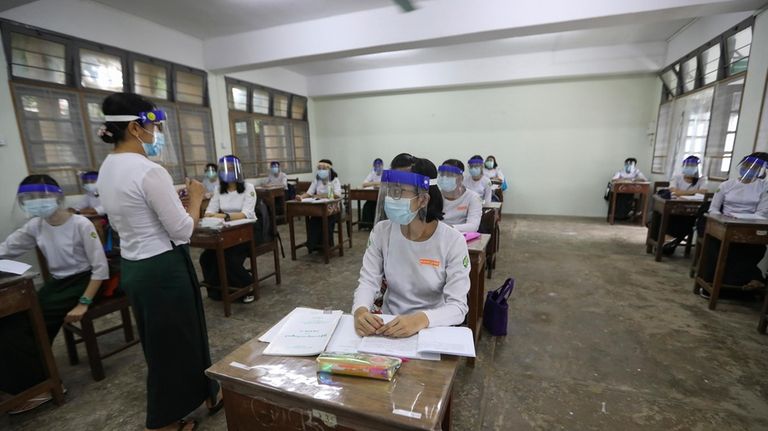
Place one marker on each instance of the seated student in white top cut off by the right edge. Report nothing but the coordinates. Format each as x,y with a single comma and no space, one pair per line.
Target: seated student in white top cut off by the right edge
747,194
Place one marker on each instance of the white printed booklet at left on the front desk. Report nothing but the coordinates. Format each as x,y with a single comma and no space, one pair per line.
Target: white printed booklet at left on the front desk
305,332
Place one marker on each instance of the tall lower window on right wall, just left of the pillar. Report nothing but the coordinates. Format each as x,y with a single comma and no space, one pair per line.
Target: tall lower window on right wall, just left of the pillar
722,132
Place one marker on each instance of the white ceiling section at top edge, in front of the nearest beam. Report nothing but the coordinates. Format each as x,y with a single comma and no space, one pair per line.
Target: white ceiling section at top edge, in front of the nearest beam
213,18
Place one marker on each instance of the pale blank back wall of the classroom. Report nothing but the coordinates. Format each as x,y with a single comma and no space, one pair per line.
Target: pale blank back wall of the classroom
557,142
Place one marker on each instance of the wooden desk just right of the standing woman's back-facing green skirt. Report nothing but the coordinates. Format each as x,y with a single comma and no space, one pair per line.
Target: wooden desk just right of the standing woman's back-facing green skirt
220,240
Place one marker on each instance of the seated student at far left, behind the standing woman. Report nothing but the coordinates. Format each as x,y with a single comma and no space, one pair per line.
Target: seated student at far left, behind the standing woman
77,265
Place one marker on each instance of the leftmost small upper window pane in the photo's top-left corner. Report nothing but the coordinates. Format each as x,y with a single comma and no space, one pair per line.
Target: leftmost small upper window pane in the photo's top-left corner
36,58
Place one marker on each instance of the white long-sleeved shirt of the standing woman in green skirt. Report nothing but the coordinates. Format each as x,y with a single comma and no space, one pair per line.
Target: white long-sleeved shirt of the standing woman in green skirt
143,206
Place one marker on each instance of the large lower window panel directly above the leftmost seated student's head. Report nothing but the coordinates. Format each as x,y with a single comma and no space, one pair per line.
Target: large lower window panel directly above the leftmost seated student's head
53,133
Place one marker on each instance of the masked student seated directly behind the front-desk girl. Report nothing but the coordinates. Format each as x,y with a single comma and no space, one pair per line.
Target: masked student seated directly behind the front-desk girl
462,208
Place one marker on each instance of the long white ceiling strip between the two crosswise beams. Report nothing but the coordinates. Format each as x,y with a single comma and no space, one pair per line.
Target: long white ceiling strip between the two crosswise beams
627,34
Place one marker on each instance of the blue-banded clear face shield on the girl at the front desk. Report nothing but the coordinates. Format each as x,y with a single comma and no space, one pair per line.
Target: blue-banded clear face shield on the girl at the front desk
403,197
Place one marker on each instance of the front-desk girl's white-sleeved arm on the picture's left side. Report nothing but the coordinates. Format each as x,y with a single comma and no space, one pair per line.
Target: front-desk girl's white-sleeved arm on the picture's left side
368,284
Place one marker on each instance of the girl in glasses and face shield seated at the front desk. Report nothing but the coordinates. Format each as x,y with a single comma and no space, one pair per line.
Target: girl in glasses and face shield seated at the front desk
425,262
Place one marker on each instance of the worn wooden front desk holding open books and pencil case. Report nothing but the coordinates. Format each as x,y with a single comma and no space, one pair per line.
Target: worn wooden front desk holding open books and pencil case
286,393
